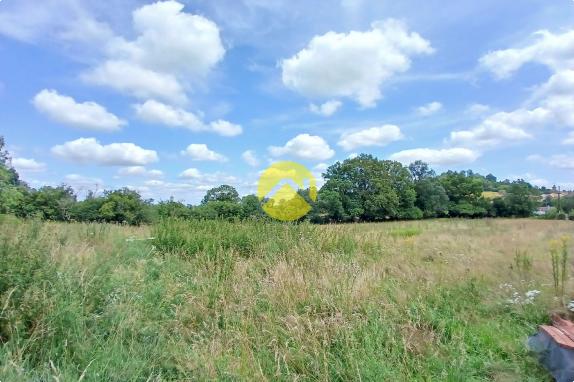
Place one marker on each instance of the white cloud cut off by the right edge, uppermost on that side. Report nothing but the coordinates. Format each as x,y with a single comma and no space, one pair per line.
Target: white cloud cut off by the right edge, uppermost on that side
552,50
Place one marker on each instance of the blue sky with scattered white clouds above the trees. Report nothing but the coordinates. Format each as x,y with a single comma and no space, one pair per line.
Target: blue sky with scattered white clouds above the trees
171,98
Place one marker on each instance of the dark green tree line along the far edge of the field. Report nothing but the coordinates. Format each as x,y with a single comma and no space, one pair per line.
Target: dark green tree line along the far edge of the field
364,188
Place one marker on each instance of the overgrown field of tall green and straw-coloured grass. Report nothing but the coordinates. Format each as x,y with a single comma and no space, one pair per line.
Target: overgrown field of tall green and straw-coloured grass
399,301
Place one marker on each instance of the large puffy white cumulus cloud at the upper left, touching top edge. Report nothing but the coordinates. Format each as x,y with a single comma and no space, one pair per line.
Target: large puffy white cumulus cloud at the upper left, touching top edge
172,47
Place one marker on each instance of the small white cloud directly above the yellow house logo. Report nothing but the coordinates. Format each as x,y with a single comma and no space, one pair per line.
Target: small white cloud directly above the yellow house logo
304,146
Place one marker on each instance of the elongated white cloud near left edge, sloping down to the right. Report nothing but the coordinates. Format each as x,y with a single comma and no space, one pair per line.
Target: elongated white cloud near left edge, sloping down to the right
85,115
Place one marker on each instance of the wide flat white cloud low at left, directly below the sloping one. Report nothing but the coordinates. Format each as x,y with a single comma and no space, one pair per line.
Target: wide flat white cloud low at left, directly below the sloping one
90,151
